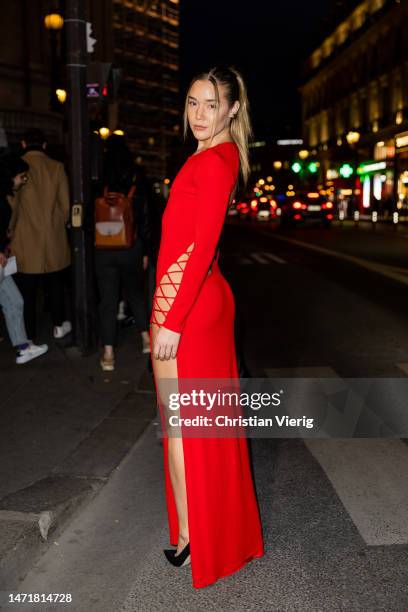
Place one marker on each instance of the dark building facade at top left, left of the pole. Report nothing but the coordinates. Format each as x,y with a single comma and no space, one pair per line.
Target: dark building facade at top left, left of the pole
29,57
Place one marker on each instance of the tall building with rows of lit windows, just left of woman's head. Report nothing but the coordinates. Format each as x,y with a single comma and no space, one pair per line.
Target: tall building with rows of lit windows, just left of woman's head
146,47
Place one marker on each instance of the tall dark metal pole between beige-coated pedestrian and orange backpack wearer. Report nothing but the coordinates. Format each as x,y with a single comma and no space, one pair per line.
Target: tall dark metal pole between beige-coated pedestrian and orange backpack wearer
82,248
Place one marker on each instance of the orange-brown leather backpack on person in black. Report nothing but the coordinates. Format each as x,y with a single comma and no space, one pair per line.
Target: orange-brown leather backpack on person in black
114,222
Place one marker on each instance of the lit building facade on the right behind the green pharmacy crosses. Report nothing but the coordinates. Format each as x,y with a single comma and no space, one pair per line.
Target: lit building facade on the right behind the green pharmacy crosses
355,106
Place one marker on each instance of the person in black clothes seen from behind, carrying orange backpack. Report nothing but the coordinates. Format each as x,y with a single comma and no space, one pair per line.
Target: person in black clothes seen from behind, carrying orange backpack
123,269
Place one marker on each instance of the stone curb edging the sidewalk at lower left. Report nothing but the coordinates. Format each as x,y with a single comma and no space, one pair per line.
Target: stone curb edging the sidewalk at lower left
31,518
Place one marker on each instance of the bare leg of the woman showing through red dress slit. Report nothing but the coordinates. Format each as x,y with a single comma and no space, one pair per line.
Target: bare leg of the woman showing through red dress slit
168,369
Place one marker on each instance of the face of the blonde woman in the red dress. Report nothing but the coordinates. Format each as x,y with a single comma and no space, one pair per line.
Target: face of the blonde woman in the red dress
203,118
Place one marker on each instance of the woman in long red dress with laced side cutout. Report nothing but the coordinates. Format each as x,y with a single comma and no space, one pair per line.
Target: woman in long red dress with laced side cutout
212,509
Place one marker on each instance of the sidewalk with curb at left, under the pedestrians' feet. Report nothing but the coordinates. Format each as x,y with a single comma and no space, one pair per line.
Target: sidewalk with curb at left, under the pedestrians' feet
64,427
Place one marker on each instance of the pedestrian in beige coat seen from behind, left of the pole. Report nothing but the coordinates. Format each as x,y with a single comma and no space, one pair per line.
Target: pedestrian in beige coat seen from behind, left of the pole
39,236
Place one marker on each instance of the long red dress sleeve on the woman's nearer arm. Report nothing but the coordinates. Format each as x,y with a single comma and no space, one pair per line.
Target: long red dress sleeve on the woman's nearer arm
213,179
